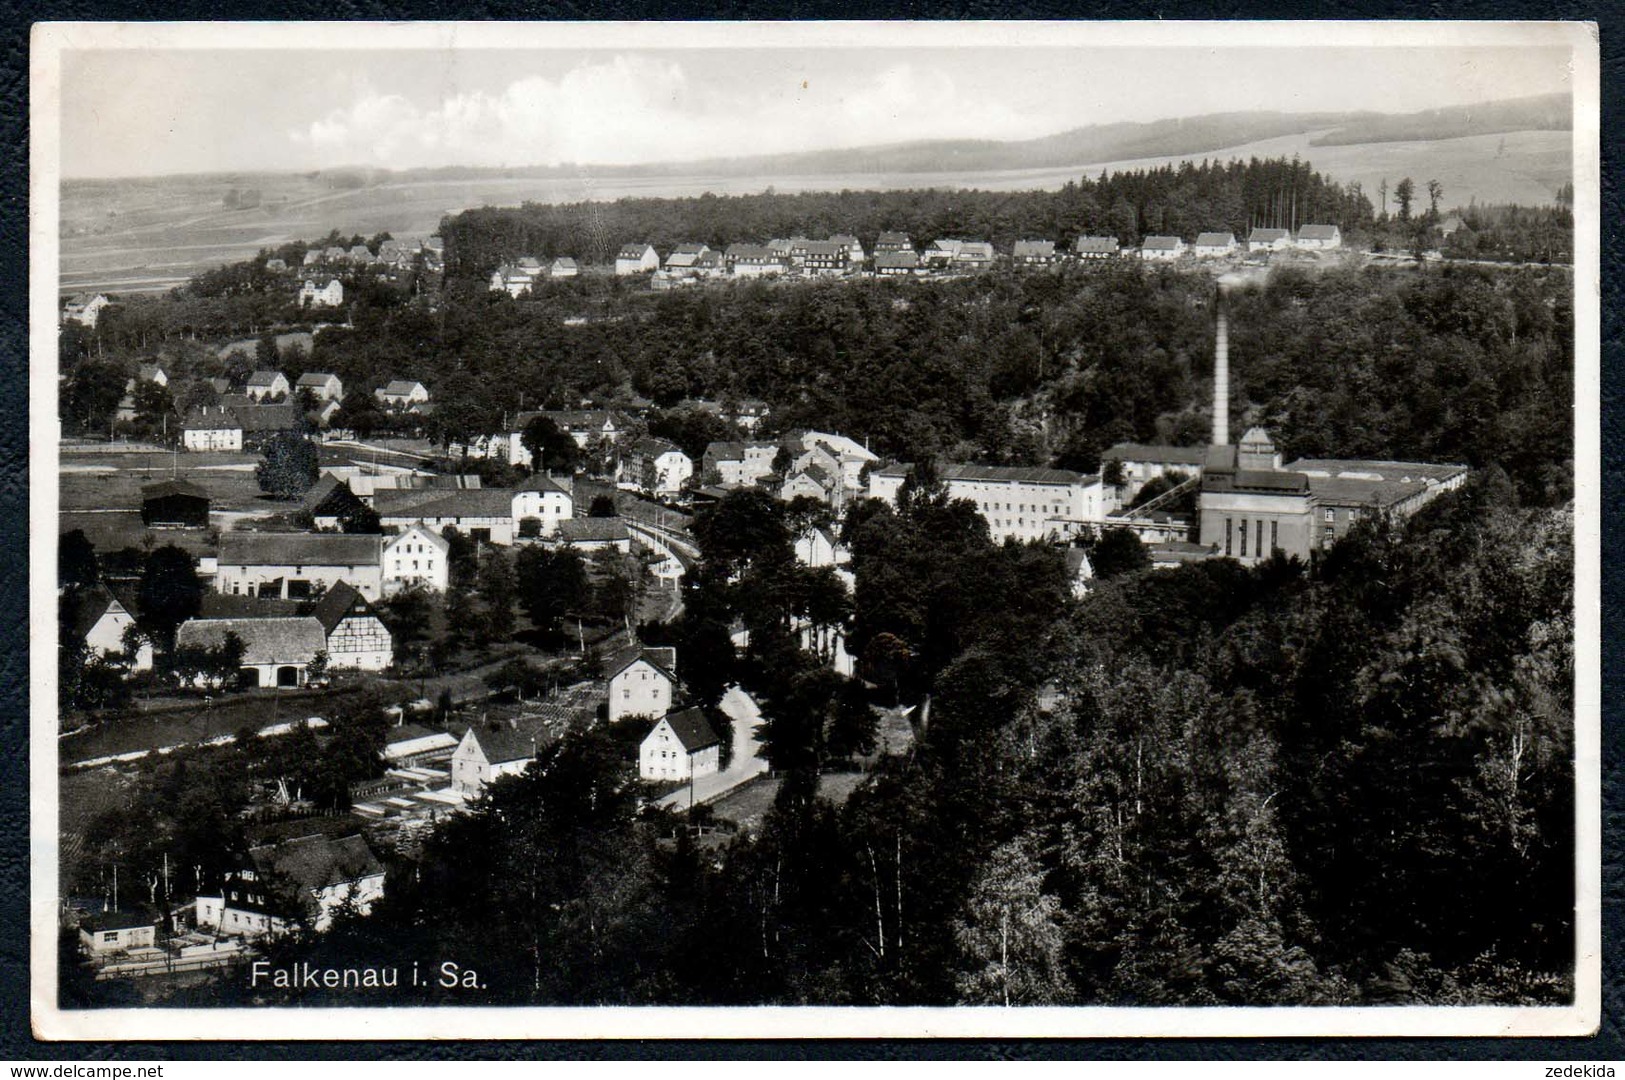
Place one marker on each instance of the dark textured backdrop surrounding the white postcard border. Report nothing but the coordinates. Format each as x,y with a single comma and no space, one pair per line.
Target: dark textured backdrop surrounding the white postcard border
15,1035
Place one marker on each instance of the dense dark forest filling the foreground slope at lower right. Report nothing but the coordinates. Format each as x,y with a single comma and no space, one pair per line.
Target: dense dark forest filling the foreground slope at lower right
1333,784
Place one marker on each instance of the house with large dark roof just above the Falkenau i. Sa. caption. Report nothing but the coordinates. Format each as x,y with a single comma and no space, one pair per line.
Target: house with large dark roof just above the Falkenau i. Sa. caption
297,883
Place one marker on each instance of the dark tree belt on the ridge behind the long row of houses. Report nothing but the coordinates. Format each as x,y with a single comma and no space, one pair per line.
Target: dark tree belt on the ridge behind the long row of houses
1181,201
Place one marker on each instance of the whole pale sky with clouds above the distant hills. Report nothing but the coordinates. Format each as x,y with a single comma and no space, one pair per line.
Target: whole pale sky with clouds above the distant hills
158,111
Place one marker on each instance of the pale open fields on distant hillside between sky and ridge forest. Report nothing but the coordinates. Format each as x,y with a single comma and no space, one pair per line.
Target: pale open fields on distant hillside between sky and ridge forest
157,233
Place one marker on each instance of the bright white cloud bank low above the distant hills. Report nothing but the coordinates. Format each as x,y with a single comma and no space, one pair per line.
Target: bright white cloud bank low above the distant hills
641,110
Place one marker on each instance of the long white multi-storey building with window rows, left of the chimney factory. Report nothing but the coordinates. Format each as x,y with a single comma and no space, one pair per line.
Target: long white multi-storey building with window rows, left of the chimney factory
1028,504
